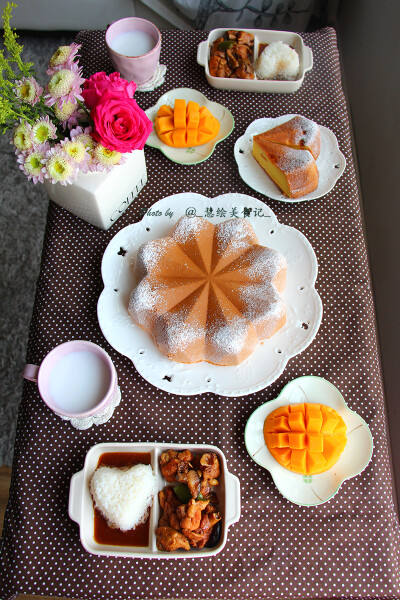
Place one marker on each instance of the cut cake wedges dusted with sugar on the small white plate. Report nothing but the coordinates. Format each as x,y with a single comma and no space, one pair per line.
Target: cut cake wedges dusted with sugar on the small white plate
287,153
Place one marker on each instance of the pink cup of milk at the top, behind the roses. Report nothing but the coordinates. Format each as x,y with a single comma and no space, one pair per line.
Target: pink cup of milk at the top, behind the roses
134,47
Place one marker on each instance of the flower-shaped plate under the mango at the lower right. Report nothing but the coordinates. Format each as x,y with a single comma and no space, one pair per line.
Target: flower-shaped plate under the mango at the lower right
311,490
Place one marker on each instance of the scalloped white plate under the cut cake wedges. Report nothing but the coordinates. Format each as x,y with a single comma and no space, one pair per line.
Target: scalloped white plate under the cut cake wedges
331,163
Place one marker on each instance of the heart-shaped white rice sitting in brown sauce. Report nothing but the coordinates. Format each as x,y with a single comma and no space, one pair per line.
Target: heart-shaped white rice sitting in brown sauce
123,496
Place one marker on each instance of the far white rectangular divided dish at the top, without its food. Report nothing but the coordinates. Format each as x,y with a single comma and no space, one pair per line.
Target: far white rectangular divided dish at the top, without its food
261,36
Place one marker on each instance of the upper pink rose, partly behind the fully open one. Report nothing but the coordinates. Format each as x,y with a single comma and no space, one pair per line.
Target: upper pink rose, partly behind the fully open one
101,87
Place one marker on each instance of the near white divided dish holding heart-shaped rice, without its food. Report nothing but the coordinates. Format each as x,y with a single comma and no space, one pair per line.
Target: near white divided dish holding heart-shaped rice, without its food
80,506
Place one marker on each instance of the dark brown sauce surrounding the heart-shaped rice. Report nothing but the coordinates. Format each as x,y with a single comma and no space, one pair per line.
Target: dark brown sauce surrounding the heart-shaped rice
103,534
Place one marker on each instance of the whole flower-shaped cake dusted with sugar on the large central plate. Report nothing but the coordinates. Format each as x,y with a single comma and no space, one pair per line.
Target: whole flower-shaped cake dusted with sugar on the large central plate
209,292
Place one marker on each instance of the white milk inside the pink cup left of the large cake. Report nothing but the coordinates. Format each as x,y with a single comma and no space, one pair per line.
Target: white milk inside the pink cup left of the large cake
79,381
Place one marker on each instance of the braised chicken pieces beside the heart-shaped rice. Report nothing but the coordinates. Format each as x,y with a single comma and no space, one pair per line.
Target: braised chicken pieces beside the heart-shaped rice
190,516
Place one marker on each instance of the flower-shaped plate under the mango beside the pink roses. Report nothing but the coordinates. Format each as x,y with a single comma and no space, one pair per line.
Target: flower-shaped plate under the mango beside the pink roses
195,154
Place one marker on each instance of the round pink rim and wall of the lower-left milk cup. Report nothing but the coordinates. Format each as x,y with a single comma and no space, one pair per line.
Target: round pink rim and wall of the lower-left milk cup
62,350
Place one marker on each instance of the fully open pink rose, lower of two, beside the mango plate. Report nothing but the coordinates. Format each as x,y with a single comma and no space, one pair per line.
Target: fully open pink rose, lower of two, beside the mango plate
119,124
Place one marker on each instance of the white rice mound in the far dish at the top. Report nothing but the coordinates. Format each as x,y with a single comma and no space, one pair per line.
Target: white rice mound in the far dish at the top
278,61
